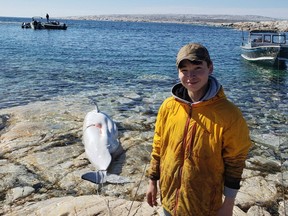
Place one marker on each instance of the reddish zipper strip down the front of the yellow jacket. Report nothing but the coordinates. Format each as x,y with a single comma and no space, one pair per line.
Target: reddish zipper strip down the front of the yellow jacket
183,147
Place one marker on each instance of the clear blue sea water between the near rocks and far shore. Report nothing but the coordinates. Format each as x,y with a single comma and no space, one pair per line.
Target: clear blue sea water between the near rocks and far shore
38,65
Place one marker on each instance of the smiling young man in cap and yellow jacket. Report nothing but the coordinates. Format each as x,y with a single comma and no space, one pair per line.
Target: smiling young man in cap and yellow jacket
200,144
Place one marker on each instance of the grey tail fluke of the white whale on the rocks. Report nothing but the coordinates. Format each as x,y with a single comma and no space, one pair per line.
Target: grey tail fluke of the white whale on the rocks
100,177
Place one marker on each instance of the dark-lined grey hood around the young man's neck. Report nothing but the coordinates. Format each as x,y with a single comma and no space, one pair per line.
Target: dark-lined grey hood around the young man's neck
181,93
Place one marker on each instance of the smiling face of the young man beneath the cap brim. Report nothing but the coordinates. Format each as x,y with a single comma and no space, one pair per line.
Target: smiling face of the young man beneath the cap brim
194,75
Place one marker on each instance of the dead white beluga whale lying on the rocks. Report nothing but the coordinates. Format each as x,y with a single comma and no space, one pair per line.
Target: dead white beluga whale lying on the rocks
100,139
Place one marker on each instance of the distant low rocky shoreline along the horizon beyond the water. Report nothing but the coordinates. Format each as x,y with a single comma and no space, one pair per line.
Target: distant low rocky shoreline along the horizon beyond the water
238,22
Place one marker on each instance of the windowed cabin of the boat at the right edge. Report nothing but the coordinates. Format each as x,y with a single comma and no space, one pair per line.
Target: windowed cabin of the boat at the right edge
264,37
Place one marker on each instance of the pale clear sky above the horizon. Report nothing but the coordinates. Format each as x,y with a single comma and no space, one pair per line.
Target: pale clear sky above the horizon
64,8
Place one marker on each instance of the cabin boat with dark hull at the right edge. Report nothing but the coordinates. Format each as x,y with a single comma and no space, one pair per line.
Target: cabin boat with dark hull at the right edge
266,47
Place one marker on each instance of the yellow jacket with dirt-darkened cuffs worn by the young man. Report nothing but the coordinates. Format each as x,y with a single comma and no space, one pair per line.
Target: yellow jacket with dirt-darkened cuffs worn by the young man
196,148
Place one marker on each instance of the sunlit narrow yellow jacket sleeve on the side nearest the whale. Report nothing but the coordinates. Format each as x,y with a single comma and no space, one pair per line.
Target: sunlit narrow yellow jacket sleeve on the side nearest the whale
154,169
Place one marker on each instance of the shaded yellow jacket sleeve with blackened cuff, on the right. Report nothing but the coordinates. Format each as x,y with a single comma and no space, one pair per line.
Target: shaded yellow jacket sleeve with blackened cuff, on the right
236,144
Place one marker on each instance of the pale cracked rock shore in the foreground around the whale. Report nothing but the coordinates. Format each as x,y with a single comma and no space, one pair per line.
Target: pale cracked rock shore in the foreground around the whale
42,159
